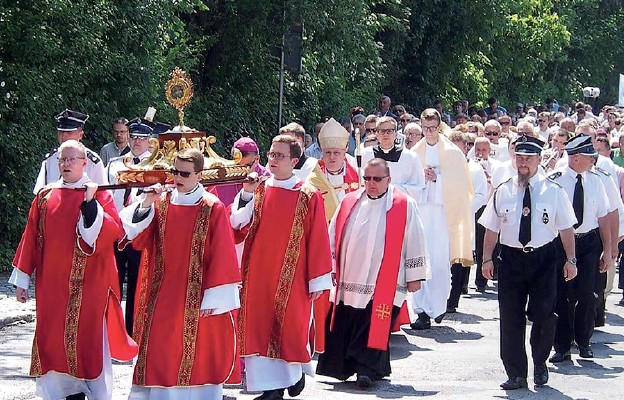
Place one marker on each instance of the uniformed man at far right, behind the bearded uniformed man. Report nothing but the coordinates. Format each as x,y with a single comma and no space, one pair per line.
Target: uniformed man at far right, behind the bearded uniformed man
576,301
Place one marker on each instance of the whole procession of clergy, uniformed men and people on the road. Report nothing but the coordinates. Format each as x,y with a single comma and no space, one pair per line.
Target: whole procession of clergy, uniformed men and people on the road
318,251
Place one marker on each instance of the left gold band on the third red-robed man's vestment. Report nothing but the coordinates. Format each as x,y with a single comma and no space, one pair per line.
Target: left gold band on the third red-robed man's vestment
251,235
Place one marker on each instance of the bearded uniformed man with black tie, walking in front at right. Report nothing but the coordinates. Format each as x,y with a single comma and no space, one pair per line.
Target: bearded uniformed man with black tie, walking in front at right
528,211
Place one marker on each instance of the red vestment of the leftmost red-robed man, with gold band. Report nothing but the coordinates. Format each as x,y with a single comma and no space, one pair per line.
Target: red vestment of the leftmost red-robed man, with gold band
76,286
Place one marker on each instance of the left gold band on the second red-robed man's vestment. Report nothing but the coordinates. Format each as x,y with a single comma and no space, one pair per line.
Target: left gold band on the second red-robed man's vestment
149,299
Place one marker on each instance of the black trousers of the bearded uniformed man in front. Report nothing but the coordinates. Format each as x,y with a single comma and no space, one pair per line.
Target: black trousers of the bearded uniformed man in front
526,277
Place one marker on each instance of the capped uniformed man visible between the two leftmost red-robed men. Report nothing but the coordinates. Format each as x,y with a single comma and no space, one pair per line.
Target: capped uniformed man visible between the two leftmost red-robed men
128,259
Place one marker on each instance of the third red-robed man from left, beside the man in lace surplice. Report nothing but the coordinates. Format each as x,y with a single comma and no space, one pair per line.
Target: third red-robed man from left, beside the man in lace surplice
286,265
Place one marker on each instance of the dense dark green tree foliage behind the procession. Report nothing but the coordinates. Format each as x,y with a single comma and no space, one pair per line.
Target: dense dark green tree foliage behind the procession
111,57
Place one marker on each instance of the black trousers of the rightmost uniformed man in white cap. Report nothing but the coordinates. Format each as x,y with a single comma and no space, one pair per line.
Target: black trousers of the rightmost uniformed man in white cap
576,300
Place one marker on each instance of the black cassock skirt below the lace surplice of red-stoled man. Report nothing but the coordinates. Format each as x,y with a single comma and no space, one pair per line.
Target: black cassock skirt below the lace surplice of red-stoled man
346,352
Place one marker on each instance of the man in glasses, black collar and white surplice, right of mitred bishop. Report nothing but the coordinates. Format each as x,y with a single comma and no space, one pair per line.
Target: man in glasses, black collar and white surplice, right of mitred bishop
405,168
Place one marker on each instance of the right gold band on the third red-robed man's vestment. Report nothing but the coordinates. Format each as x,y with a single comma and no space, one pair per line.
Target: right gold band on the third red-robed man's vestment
287,273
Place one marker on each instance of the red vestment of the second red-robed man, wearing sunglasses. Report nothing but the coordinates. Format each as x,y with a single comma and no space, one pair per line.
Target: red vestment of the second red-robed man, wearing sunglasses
187,249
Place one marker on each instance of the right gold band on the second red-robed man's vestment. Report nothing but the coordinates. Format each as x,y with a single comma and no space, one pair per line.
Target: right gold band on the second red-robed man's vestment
194,294
